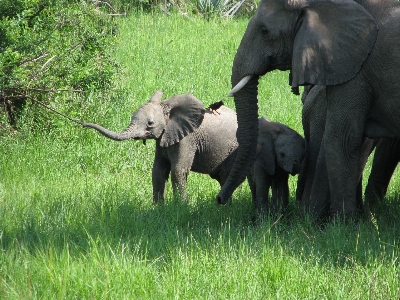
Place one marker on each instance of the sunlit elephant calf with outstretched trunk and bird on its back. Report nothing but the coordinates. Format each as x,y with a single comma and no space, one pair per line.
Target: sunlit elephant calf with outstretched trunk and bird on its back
188,138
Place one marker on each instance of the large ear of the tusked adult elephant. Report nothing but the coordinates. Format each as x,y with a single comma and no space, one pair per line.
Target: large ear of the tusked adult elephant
333,40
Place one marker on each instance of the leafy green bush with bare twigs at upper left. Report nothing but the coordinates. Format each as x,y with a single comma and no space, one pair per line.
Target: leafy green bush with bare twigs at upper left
49,49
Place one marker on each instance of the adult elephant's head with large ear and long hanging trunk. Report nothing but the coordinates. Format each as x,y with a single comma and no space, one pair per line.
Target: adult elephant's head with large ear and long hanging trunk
314,39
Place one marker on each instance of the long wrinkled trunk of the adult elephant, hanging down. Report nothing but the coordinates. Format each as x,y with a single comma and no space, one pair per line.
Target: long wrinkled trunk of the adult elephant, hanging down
247,116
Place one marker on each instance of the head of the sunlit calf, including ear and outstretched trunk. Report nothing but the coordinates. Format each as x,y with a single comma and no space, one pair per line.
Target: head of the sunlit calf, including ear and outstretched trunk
168,121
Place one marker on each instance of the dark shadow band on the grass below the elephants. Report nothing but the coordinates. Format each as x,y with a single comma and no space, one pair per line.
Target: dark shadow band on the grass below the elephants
153,231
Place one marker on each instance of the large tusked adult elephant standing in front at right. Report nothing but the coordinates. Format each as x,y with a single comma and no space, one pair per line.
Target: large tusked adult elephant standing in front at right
351,47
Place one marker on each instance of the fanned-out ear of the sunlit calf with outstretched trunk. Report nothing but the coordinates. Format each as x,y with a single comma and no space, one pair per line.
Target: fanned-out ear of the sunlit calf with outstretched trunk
184,114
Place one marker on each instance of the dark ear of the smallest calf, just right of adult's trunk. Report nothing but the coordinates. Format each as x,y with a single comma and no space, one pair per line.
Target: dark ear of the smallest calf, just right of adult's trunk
266,156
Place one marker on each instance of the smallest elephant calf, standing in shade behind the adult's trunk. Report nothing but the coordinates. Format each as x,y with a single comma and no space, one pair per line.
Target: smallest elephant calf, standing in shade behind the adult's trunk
280,151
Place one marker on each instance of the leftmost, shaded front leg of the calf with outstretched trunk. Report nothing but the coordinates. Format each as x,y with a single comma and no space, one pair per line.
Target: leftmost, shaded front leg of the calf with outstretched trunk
160,174
